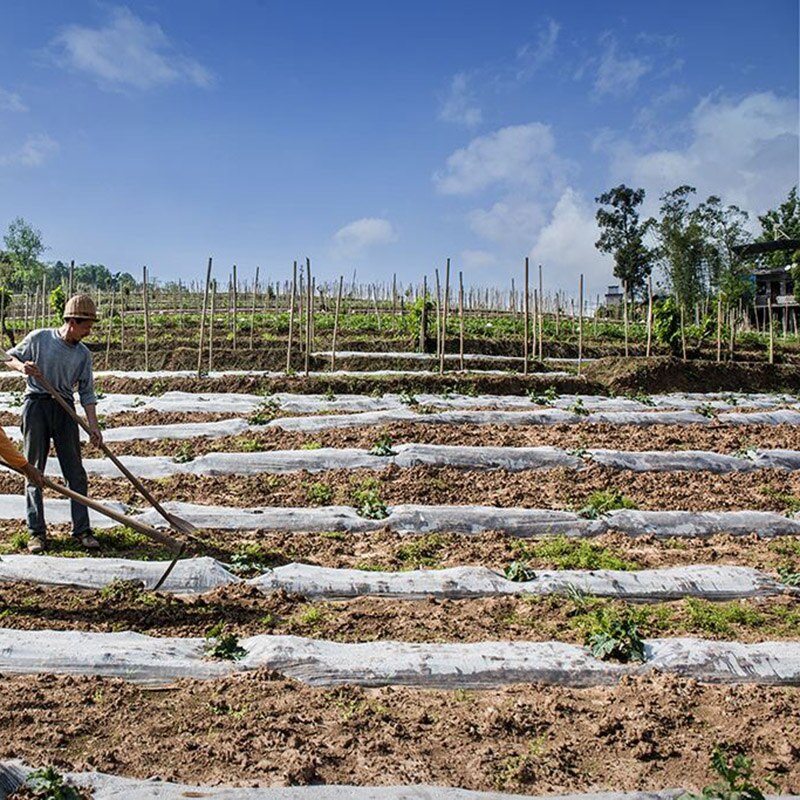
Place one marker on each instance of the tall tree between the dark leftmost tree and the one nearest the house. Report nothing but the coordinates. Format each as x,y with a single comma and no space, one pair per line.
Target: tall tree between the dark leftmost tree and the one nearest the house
681,246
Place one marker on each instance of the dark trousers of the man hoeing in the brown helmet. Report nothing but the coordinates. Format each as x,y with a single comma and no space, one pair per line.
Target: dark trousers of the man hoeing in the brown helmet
44,420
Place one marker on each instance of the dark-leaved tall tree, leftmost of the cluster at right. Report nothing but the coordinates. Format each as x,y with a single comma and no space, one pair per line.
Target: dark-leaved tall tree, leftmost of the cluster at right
622,236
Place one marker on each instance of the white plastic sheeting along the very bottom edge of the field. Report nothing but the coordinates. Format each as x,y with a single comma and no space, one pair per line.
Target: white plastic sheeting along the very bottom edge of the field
110,787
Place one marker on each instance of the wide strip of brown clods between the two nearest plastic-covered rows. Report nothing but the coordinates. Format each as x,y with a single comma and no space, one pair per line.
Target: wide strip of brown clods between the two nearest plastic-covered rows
258,729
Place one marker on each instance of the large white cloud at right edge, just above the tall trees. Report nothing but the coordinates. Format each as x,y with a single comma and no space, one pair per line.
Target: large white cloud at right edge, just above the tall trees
744,151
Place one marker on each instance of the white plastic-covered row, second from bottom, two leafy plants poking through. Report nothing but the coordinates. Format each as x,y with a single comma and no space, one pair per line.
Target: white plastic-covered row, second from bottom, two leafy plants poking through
144,659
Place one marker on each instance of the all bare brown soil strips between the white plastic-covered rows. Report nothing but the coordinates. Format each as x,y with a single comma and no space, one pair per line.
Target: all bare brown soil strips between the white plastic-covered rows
261,729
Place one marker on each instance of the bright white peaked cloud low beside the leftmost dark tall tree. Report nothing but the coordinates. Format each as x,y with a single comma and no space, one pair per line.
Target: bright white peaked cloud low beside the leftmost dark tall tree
565,247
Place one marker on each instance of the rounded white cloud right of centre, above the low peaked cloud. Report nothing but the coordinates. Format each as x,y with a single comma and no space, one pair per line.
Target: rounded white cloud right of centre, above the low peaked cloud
519,155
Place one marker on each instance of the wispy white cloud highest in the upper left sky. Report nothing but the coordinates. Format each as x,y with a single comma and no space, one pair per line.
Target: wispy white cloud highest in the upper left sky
127,53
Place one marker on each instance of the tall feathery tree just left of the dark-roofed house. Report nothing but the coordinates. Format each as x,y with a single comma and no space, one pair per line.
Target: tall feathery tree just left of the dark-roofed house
724,229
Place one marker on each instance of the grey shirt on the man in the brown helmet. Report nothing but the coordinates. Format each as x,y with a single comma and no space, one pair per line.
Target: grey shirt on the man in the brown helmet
64,365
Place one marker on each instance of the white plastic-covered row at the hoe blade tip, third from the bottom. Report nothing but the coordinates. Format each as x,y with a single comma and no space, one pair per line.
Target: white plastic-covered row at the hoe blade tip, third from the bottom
199,575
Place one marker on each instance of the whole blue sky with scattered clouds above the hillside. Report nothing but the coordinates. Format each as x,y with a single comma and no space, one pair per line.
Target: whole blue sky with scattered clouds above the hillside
382,136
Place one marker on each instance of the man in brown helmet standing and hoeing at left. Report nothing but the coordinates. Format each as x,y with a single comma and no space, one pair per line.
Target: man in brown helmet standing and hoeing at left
58,355
